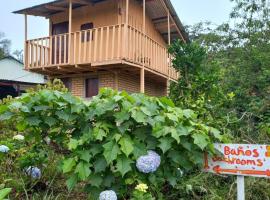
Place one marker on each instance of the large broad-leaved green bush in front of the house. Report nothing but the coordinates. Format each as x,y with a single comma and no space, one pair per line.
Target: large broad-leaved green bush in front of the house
101,140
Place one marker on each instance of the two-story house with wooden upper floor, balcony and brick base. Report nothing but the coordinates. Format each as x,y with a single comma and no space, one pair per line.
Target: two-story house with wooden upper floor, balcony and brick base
120,44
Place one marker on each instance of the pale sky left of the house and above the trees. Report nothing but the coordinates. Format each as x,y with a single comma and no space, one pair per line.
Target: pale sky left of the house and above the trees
189,11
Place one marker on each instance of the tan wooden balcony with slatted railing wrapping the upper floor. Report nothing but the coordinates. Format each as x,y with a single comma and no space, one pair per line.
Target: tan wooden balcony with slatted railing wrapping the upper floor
103,46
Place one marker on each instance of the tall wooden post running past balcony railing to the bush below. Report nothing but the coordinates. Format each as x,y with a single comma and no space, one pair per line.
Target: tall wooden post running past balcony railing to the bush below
142,72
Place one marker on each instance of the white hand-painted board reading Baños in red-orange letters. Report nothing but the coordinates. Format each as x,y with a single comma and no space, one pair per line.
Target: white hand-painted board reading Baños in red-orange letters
240,159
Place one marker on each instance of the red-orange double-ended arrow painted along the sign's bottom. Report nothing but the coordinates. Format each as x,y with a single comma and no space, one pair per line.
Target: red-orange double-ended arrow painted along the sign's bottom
219,170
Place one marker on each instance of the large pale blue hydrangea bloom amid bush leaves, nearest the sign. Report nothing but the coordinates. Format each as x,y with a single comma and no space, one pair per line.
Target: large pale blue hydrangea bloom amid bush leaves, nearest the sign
148,163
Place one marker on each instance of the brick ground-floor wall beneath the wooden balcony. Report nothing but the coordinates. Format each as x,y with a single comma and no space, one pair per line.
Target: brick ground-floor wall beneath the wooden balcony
126,81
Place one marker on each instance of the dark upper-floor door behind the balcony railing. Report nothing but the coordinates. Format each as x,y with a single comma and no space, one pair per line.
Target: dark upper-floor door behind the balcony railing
57,29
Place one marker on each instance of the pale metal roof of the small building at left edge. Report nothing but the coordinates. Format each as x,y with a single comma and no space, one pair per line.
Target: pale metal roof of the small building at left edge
12,70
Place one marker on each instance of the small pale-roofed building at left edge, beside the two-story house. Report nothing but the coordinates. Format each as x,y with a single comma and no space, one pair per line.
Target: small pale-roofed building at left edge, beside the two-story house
14,80
